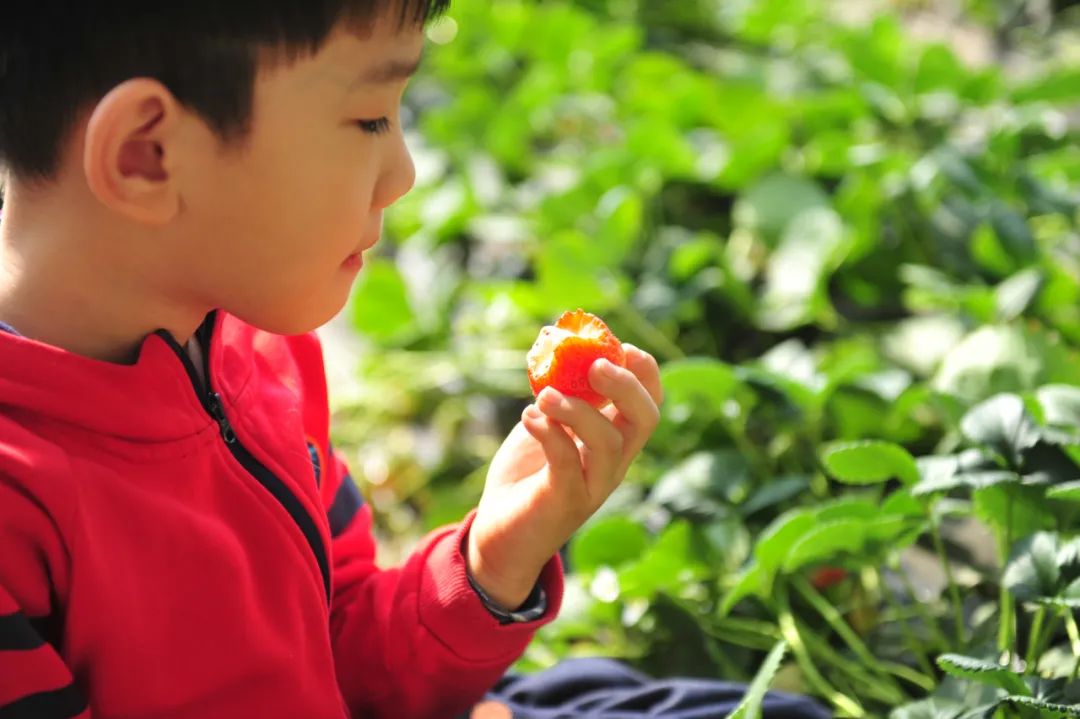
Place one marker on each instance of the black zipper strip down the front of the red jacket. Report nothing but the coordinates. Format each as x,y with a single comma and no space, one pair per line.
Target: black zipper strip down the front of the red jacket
215,408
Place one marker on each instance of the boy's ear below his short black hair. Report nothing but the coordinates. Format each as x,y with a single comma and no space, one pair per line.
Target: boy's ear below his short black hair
130,151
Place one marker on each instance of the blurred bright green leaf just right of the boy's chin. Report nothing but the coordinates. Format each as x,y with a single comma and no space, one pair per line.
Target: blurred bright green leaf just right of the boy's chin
381,304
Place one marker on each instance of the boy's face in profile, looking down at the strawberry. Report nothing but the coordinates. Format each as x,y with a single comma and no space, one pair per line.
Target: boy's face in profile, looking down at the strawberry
276,223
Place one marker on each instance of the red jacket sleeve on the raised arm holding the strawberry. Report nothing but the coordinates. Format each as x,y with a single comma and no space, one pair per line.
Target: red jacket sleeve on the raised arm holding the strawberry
413,642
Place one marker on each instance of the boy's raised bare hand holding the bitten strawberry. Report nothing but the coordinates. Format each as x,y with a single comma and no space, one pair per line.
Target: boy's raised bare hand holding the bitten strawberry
556,470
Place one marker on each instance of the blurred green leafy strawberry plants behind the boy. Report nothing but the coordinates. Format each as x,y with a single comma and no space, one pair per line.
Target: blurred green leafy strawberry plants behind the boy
832,222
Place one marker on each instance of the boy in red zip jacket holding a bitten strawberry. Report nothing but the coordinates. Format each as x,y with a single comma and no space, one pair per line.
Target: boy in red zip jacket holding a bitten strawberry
190,192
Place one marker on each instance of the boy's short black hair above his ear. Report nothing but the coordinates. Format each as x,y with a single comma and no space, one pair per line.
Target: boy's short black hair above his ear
60,57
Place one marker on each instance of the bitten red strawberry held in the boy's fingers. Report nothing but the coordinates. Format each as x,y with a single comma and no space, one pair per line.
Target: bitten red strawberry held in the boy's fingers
563,354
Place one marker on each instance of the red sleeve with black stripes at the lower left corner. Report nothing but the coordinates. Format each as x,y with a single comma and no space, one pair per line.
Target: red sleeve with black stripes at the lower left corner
34,680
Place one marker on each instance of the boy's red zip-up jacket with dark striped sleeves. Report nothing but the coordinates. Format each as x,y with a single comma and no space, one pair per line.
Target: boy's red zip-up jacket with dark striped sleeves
168,552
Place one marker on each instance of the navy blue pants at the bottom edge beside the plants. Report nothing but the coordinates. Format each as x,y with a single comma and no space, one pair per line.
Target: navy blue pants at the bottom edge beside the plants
606,689
